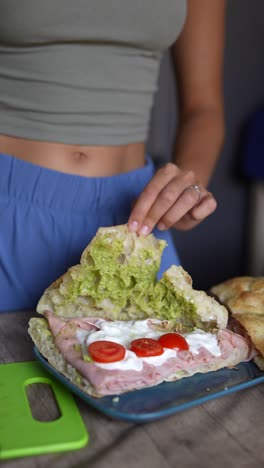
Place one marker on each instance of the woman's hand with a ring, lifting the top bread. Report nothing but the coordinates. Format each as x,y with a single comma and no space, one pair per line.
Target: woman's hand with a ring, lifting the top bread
173,198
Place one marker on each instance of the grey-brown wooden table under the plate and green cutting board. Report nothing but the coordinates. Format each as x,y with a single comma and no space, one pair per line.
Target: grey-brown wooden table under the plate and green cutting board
227,432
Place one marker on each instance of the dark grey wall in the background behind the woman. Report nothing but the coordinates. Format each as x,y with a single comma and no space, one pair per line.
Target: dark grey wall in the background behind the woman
217,249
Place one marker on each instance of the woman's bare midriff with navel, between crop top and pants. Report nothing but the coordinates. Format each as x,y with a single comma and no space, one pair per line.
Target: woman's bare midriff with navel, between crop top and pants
88,161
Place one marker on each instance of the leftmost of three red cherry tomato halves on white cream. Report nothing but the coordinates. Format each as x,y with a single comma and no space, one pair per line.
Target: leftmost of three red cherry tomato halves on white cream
106,351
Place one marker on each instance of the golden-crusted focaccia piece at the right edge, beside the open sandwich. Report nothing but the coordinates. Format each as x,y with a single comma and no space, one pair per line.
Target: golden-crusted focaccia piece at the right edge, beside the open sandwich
244,297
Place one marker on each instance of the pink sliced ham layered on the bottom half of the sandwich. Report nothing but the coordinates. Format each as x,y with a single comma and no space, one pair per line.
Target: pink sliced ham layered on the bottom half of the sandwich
115,381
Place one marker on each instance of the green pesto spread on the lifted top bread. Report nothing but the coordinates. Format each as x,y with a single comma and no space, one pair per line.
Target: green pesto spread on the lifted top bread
127,281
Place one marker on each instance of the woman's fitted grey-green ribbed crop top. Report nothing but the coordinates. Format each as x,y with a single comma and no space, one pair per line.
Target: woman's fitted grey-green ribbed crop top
83,71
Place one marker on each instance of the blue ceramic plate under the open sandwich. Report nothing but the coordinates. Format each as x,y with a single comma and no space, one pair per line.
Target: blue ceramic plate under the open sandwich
167,398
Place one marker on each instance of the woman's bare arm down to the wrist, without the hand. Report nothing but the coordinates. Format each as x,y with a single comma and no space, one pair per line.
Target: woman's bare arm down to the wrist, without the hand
198,58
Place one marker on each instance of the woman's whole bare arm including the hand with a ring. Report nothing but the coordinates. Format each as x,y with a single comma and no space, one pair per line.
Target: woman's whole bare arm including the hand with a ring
198,56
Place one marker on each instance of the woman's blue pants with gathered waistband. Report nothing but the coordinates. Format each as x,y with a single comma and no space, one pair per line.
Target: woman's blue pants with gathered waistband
47,218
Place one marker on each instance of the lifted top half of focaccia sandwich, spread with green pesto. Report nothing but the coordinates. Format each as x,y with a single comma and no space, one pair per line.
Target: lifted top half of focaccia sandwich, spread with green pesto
117,279
